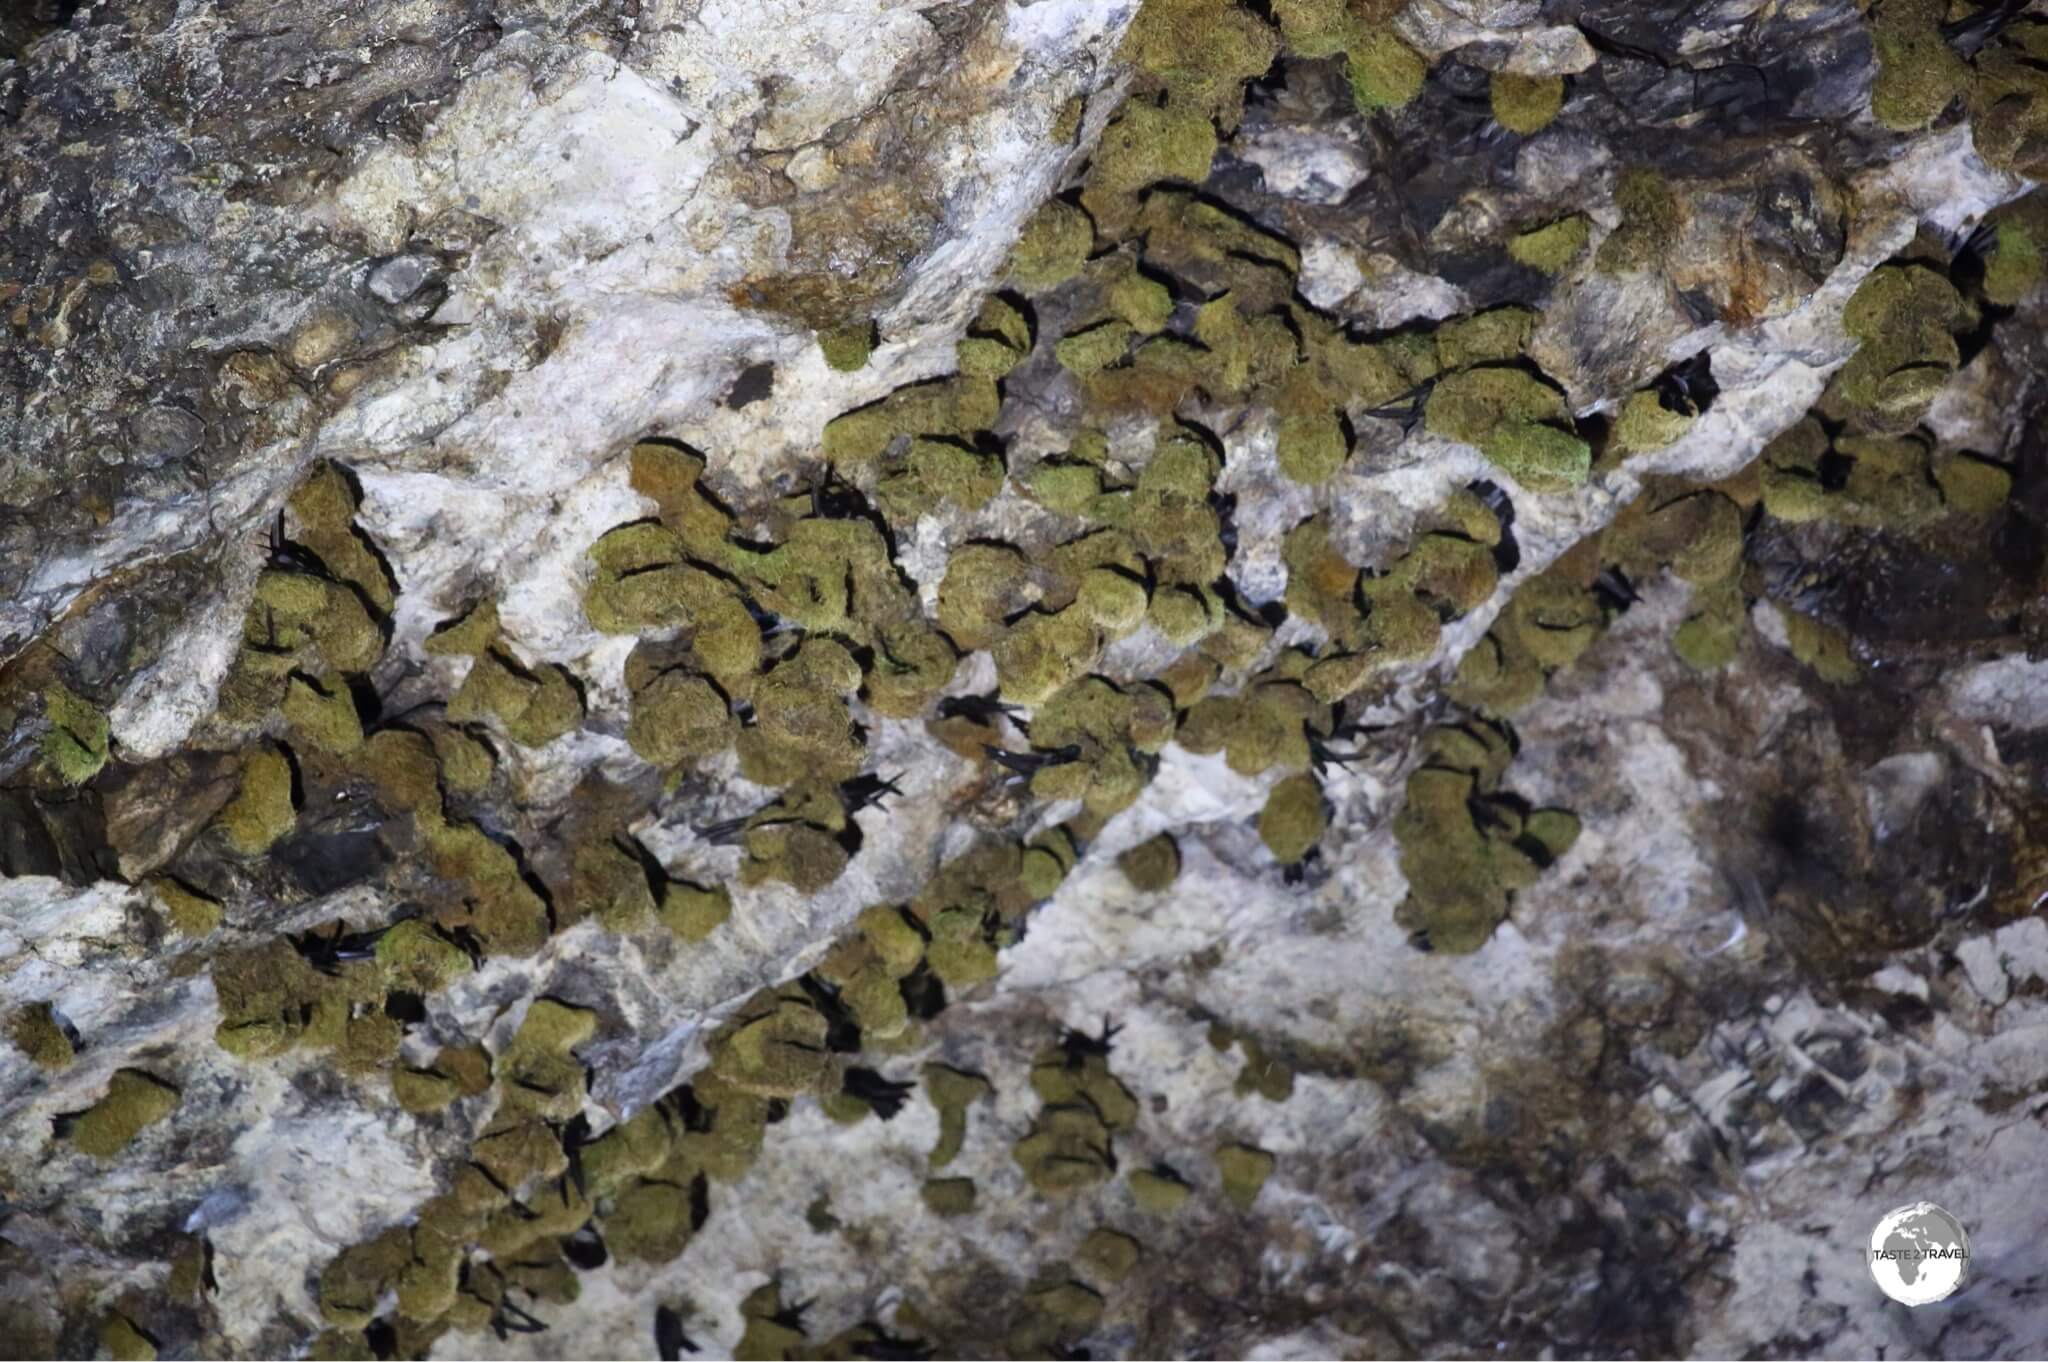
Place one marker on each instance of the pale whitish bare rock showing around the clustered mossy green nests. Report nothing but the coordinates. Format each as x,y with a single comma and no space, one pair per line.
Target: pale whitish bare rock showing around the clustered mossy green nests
1658,1052
